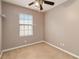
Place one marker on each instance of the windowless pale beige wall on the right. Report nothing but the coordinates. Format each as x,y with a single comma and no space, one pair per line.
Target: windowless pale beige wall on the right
62,26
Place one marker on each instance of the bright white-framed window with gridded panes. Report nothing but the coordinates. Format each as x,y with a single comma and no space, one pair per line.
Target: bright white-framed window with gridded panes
26,25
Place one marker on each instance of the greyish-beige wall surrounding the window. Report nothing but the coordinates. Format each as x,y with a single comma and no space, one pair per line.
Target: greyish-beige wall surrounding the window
11,26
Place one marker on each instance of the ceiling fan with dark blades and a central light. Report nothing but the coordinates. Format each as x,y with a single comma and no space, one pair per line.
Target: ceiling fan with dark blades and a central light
41,2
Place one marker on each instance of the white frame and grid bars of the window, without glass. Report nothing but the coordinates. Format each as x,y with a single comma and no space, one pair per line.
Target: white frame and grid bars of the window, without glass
25,25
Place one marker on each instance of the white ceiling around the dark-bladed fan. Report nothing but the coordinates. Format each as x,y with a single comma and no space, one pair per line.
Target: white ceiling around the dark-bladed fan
24,3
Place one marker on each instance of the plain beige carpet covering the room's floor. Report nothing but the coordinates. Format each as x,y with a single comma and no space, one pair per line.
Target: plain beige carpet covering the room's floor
38,51
